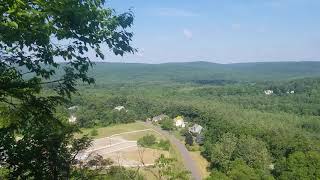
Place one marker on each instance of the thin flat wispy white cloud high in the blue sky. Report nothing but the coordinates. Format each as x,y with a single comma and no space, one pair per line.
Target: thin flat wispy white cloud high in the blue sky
174,12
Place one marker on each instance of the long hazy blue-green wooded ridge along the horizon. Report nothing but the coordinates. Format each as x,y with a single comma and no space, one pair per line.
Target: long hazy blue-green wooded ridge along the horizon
203,72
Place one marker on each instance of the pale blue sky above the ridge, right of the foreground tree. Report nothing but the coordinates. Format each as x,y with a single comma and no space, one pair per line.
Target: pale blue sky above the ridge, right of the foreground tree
222,31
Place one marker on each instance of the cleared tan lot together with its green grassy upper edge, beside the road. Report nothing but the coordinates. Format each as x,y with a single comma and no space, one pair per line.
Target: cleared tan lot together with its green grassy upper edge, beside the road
119,143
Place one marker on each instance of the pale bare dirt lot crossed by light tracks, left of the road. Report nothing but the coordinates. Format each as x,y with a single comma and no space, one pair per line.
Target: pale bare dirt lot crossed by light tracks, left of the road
122,148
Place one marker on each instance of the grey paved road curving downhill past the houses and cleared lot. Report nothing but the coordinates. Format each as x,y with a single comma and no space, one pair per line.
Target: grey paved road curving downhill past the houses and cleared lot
187,160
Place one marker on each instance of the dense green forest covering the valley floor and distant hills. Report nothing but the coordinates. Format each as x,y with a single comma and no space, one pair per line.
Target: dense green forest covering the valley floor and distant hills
248,134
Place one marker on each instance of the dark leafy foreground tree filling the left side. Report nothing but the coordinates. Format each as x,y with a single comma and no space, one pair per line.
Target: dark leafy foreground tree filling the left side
39,39
